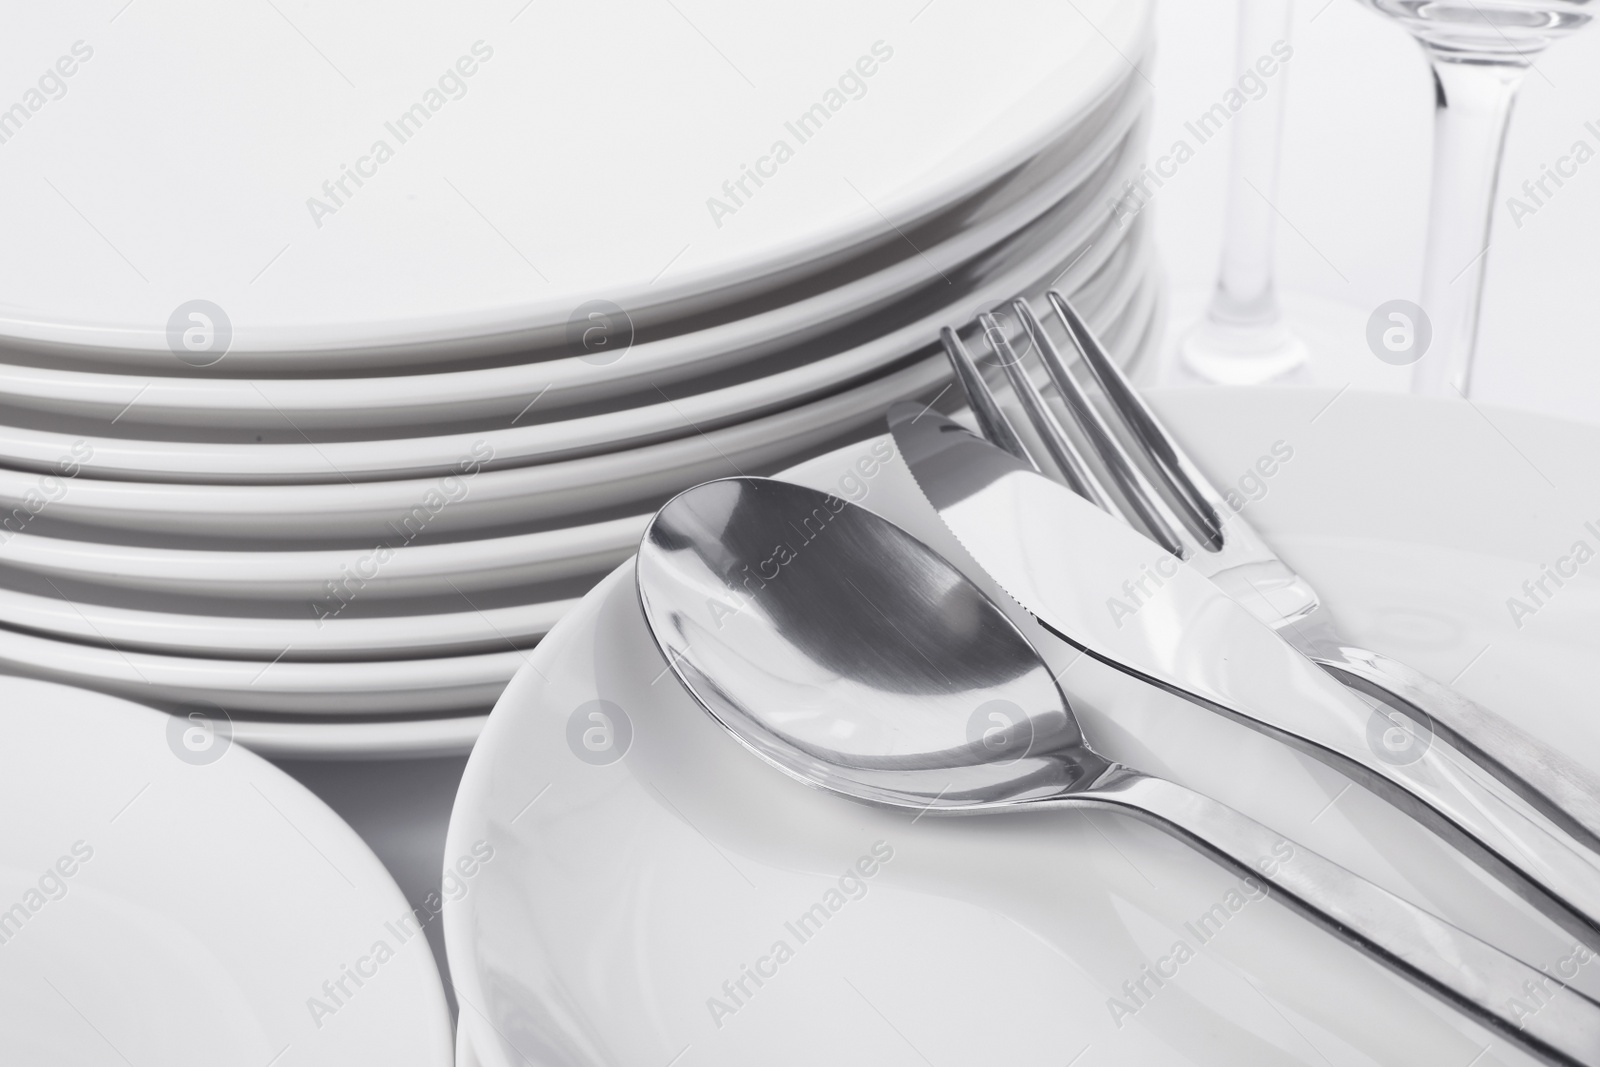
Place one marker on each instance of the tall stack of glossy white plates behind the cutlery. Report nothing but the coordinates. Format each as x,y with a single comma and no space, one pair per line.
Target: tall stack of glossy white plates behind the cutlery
338,354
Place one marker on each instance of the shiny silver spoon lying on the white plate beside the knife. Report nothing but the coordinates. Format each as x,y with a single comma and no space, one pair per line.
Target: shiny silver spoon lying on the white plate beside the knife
857,660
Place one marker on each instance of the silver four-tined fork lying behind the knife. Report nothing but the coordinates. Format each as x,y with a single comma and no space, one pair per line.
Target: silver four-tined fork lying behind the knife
1194,522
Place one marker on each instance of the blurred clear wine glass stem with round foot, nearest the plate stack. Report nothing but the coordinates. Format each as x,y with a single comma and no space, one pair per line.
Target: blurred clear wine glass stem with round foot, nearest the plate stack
1242,340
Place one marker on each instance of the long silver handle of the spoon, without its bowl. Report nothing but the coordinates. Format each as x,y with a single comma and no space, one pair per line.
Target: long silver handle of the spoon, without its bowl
1527,1007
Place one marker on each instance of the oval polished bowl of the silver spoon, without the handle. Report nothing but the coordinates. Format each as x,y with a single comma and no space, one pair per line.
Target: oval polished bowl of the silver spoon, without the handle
849,655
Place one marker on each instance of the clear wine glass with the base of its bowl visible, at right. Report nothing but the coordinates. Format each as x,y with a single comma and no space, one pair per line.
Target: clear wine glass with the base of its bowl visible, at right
1481,52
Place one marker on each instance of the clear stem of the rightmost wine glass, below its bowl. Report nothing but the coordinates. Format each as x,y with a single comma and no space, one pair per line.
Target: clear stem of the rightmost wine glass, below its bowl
1474,102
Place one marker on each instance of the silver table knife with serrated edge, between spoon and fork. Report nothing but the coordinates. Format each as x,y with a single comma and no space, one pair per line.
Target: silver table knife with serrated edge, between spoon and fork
1103,588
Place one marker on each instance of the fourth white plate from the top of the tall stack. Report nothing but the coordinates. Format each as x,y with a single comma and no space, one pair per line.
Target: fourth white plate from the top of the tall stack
546,492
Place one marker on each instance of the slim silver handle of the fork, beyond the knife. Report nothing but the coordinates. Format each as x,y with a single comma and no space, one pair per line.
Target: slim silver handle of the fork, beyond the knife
1562,791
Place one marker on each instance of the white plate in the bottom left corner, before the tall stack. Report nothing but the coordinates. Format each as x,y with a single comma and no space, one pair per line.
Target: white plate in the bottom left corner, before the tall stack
167,911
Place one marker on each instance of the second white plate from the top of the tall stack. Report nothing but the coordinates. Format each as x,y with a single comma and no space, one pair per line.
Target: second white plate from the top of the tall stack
502,393
